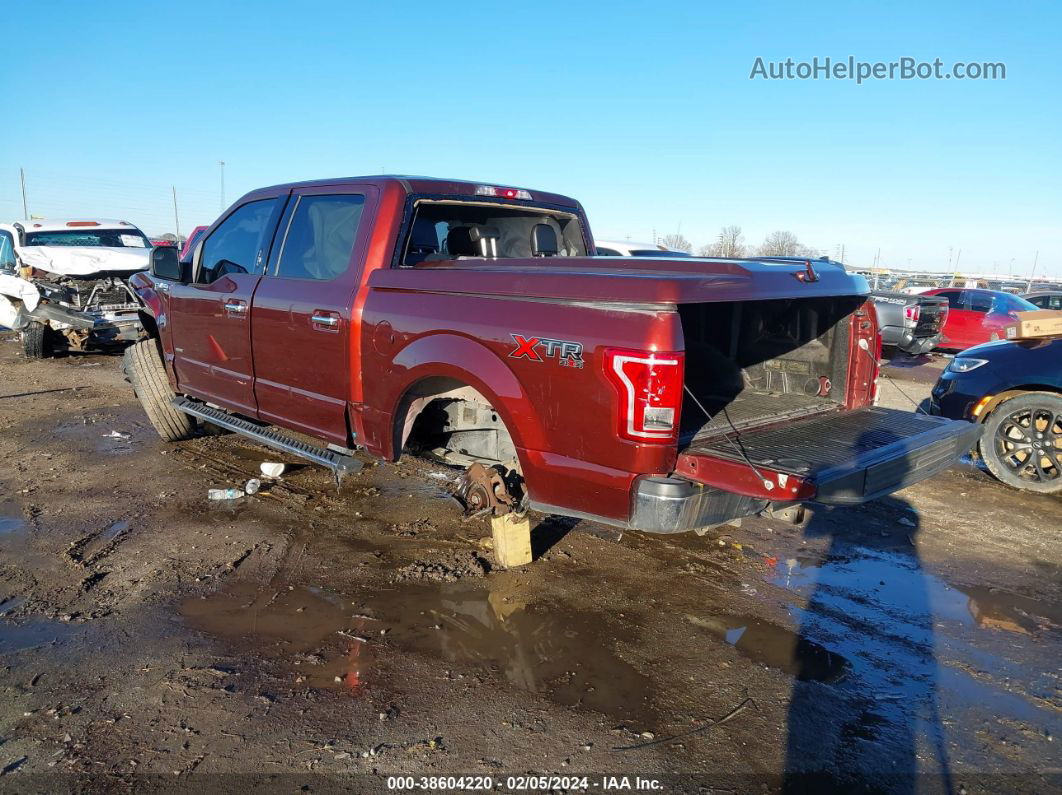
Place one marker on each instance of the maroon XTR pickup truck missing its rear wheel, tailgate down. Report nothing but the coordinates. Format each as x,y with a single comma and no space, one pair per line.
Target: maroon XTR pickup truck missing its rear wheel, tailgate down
471,323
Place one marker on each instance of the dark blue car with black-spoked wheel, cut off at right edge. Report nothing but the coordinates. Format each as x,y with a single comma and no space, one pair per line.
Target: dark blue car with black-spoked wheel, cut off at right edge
1015,390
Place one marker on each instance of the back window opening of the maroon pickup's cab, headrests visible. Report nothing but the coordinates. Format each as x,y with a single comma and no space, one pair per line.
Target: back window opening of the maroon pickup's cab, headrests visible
449,230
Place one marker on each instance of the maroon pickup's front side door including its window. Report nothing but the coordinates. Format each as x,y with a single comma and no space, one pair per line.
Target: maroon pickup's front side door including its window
210,320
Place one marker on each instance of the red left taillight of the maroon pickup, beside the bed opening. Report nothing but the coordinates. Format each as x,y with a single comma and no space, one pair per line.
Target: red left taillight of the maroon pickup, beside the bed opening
649,385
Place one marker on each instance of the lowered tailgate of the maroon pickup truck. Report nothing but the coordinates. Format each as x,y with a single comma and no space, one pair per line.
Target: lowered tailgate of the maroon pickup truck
840,458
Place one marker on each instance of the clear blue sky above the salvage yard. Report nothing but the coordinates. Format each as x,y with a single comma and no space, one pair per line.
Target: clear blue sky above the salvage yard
645,112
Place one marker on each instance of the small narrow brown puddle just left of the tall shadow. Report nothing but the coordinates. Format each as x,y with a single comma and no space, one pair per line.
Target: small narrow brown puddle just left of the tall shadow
776,647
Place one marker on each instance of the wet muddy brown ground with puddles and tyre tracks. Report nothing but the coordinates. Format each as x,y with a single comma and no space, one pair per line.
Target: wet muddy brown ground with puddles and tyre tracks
309,637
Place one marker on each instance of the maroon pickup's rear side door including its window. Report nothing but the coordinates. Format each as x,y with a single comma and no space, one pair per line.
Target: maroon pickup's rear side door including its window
302,310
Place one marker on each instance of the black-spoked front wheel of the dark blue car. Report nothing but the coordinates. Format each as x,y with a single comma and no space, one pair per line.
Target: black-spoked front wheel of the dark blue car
1022,444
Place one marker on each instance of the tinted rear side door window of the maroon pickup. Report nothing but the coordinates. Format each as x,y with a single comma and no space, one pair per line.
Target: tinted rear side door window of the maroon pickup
320,238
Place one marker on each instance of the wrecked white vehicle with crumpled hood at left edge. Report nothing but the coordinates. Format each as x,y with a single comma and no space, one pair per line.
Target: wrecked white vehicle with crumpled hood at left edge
63,284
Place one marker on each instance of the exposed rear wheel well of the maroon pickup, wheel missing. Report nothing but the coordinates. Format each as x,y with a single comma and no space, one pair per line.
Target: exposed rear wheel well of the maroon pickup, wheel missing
453,422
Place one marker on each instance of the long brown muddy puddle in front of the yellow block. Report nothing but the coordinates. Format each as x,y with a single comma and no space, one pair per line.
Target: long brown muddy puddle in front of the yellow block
568,656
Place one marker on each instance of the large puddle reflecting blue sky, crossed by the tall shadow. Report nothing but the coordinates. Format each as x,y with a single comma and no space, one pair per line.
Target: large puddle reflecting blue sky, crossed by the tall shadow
914,641
